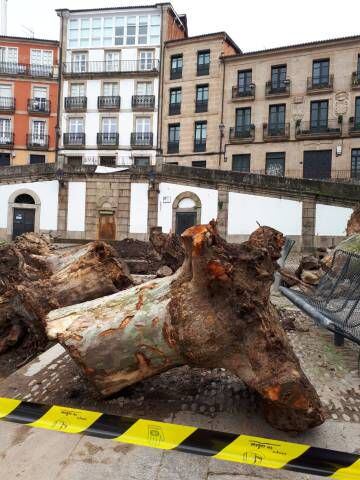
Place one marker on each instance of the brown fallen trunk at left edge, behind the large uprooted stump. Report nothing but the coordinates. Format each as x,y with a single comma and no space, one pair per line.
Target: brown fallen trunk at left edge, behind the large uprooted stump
36,277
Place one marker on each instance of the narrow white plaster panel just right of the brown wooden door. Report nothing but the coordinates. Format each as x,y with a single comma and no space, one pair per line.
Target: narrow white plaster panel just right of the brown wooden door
139,207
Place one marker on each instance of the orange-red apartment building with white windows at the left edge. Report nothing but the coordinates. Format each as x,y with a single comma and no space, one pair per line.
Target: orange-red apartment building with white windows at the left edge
28,100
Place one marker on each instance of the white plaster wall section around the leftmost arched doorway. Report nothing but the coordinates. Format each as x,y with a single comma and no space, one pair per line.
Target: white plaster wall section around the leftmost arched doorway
48,192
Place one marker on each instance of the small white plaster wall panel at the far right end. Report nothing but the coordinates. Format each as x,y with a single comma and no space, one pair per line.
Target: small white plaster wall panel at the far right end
331,220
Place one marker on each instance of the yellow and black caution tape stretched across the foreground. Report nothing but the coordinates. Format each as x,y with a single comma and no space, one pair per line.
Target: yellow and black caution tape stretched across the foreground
256,451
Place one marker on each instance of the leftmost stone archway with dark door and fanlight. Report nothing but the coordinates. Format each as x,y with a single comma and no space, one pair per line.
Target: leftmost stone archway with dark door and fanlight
23,212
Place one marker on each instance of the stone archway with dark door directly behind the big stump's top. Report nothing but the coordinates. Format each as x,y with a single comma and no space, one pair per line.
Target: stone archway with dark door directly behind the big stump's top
186,212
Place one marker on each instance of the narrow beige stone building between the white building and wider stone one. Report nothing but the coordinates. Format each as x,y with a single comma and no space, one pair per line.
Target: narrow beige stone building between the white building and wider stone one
192,133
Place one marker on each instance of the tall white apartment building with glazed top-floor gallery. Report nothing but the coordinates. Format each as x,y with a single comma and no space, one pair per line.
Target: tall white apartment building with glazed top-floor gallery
111,68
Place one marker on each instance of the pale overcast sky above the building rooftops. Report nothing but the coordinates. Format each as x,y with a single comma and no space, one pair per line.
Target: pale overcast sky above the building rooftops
253,24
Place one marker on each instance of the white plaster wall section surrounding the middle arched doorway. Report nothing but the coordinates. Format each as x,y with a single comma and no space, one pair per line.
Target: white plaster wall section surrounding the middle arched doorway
169,191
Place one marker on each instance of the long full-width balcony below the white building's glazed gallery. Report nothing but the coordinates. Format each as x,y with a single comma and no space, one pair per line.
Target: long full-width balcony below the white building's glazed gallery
111,68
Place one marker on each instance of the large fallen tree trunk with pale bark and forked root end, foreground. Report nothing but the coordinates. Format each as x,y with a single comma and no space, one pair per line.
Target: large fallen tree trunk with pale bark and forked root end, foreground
214,312
